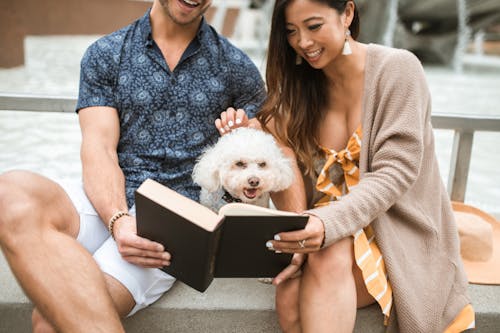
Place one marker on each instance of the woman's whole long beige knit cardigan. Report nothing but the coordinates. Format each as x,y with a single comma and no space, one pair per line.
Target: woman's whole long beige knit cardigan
402,195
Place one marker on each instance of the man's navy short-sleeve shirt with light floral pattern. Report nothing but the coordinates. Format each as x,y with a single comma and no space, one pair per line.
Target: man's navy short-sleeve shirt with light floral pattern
166,117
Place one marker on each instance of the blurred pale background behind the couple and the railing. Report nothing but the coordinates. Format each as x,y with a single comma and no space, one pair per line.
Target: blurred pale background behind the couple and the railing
42,42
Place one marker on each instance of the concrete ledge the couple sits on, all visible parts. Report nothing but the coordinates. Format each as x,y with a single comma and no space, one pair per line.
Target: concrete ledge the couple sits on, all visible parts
229,305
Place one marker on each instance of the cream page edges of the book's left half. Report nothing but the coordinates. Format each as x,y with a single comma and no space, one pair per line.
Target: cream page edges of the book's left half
180,205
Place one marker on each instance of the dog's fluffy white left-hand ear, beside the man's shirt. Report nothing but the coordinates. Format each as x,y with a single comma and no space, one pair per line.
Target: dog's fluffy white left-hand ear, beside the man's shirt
206,170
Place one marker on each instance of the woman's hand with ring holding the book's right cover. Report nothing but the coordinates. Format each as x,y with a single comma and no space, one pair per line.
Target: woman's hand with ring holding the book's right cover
306,240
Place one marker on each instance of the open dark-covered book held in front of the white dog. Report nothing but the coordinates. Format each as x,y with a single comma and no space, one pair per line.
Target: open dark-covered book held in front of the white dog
204,244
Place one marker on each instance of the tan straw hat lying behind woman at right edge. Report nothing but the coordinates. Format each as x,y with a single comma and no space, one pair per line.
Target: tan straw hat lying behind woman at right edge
479,243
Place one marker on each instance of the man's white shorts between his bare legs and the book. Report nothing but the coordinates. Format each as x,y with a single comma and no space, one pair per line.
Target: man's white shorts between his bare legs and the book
145,284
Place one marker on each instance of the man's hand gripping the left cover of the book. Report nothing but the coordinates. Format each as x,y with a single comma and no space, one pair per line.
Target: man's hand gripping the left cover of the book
137,250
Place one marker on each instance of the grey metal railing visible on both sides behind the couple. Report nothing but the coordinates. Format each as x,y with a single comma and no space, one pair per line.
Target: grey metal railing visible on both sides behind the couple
463,126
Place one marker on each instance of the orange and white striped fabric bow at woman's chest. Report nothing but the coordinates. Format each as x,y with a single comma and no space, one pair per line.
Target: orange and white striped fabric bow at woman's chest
347,158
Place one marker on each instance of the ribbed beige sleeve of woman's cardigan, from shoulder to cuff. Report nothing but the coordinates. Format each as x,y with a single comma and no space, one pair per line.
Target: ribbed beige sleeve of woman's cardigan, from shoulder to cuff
399,106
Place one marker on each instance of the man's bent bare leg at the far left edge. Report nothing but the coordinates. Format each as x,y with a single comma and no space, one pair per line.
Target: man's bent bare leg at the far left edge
38,226
